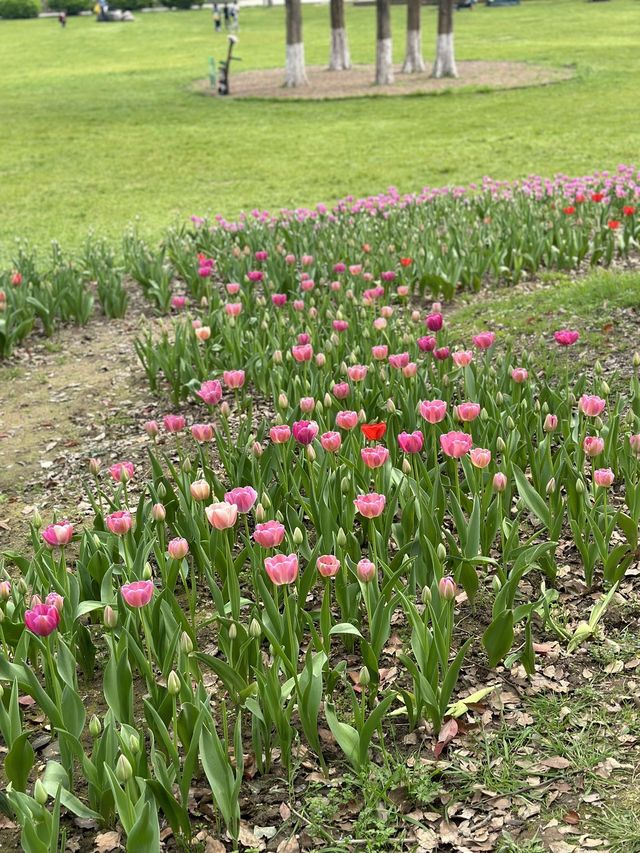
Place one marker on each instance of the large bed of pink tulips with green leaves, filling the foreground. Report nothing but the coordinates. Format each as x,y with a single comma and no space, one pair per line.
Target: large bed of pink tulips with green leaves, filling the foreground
359,490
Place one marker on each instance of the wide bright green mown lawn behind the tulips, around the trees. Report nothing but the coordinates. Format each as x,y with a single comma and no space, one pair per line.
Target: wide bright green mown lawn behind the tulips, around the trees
99,123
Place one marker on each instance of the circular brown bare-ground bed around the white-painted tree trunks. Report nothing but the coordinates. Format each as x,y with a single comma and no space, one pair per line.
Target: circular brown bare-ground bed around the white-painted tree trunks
358,82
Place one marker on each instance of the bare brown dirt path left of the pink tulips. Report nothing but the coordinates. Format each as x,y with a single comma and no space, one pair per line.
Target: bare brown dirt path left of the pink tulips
62,401
